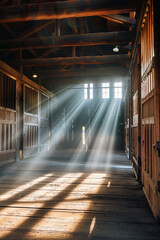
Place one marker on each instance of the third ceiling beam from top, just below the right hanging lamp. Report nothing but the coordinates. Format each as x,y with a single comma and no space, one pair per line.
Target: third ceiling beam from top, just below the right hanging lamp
73,60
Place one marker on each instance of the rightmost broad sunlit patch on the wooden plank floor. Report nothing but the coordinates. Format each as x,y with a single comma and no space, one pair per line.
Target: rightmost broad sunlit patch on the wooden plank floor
70,210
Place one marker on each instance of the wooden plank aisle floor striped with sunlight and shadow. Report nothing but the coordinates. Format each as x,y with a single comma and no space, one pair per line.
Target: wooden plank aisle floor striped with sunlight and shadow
65,196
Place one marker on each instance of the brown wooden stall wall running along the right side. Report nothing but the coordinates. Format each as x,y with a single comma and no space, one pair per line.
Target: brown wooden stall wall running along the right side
145,97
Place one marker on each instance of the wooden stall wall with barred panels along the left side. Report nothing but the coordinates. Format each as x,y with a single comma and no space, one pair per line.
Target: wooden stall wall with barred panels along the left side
24,116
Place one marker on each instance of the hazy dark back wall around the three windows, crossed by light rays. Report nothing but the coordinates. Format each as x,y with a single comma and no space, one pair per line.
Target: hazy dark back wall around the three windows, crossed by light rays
72,127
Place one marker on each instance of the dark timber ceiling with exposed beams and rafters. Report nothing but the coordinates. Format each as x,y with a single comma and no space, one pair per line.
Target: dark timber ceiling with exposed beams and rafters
69,40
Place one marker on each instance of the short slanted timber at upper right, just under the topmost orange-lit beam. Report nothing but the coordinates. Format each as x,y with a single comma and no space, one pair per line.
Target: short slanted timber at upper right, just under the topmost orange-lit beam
120,19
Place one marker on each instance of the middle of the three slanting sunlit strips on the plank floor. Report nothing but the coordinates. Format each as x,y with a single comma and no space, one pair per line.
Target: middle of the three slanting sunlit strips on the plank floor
21,211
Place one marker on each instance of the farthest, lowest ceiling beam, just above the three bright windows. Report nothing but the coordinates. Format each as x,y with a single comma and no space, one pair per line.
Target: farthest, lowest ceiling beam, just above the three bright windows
120,70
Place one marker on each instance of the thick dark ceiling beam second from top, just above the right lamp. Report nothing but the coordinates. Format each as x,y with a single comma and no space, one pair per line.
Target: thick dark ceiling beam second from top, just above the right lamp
87,39
